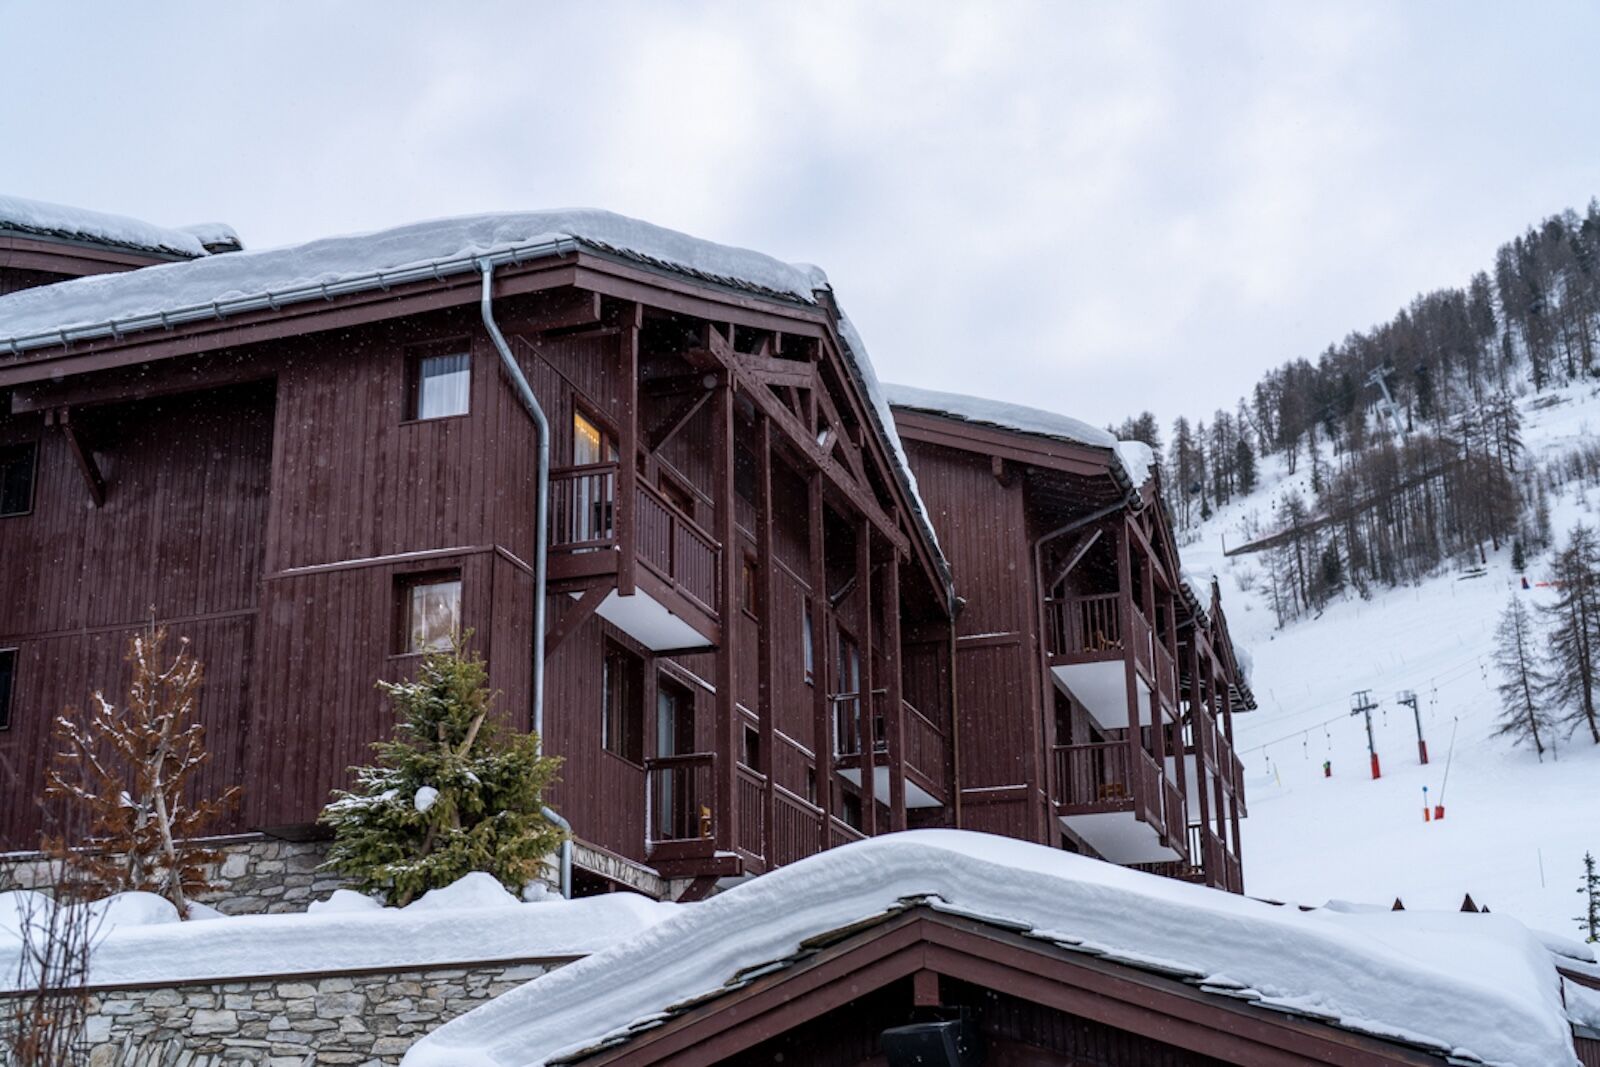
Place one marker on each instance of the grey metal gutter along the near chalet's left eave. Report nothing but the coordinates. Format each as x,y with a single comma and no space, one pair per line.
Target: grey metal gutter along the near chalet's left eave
217,311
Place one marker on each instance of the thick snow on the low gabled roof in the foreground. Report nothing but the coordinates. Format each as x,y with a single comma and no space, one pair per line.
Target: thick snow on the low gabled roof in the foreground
1473,986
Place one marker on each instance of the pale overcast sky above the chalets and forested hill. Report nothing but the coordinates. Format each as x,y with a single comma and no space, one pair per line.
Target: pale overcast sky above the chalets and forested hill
1086,207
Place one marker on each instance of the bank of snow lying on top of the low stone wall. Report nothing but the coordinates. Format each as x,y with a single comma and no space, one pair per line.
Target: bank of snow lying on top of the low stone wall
143,941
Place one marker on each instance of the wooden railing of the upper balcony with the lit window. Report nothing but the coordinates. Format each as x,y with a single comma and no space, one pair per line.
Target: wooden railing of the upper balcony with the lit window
668,543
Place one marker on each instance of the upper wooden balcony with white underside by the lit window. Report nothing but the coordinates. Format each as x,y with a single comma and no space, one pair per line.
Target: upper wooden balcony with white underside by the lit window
673,562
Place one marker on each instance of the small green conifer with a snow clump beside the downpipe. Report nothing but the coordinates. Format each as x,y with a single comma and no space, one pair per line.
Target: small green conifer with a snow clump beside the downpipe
454,793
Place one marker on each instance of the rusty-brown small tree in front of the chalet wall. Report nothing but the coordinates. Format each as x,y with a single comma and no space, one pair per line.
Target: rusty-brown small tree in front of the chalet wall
126,775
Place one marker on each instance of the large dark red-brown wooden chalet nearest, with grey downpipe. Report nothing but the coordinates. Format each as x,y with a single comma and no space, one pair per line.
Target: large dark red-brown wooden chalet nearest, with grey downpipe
316,465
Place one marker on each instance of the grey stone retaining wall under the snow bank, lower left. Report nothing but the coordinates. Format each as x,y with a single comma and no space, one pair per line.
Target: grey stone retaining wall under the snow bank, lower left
362,1020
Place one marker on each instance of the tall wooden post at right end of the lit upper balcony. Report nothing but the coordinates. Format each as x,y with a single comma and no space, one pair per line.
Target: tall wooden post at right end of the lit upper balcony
727,748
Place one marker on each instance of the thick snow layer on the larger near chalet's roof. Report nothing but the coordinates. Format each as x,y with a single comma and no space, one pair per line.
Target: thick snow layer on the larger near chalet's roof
150,298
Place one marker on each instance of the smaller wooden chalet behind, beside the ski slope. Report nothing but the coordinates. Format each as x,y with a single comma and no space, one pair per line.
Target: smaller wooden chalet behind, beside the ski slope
1095,685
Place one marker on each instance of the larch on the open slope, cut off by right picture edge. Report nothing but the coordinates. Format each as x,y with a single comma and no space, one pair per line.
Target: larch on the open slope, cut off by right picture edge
1575,633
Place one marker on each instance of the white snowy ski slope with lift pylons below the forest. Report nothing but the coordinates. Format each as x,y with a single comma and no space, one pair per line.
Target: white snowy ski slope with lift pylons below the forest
1514,829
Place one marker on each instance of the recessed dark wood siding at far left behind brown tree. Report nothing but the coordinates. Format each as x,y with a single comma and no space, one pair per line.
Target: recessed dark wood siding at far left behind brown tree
180,537
